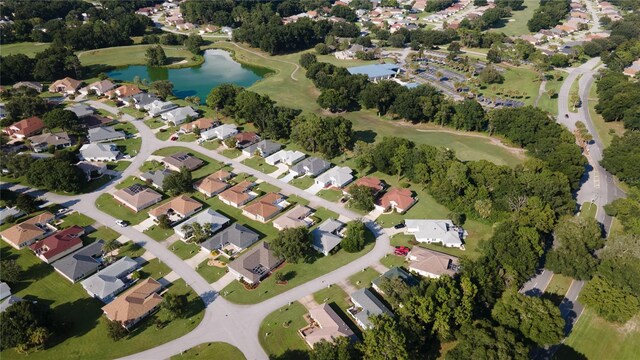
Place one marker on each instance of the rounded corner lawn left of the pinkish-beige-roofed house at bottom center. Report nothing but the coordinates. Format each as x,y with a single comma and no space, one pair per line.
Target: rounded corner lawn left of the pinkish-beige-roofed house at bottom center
279,333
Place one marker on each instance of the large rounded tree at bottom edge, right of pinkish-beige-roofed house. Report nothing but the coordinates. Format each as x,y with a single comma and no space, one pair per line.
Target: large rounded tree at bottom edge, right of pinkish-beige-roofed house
385,340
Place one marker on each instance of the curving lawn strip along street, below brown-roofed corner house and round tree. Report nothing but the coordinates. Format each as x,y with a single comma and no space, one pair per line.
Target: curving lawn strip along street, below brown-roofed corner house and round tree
297,274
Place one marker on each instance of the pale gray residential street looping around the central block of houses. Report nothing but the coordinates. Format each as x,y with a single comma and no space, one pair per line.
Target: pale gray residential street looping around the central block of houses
223,320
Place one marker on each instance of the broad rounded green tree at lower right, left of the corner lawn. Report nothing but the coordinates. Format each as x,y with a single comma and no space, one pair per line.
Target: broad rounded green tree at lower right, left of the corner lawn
536,318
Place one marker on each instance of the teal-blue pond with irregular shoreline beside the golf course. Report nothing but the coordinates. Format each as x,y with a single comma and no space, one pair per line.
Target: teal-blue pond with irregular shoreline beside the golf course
218,68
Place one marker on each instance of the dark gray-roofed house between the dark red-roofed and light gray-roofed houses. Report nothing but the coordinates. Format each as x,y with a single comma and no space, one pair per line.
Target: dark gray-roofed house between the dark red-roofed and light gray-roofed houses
82,263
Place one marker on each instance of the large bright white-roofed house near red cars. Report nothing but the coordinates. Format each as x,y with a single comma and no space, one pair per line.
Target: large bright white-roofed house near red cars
436,231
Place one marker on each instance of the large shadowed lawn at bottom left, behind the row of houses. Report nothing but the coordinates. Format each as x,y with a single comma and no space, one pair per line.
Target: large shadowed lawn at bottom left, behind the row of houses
84,334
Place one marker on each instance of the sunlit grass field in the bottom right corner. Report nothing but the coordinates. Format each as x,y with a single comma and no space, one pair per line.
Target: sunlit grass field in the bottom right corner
597,338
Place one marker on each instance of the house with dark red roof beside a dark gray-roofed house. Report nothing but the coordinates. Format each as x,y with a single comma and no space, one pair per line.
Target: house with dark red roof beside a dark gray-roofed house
59,244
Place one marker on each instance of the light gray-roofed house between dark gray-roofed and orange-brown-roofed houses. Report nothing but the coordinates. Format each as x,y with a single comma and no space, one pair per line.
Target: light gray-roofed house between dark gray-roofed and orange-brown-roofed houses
108,282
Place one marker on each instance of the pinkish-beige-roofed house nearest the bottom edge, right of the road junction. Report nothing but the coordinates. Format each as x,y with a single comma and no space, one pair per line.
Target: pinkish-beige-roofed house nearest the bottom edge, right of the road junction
327,325
